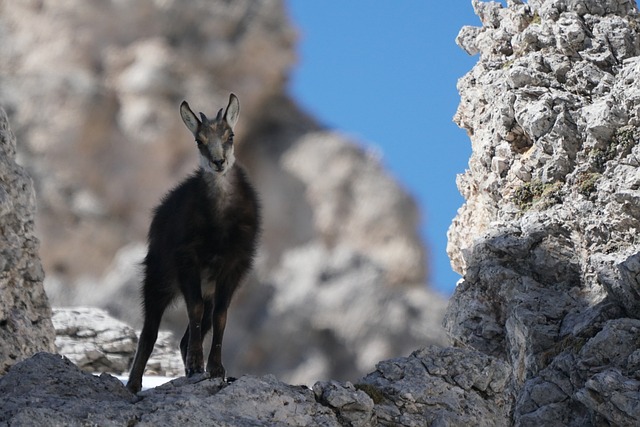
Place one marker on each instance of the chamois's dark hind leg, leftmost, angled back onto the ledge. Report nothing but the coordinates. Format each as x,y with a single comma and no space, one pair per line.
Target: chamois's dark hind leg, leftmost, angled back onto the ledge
148,337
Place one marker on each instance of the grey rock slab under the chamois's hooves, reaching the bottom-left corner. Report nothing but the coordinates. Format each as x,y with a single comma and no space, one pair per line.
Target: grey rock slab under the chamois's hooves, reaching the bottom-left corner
65,395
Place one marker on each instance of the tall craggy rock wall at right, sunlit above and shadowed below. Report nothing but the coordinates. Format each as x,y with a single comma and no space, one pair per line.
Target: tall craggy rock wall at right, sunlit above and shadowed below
546,240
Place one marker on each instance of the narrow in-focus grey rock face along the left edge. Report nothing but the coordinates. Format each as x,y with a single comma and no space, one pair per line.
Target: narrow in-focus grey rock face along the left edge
25,314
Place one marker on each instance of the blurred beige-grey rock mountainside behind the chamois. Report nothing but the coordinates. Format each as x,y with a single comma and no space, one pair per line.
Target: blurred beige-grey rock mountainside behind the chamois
92,87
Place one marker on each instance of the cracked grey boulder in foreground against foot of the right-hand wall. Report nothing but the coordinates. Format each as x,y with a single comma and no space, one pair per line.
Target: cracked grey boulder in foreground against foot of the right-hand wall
440,386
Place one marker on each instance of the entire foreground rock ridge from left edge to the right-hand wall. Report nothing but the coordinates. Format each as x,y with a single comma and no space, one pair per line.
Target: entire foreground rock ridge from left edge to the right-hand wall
431,387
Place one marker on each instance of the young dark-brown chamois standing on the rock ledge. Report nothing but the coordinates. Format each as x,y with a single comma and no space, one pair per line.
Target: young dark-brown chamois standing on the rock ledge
202,241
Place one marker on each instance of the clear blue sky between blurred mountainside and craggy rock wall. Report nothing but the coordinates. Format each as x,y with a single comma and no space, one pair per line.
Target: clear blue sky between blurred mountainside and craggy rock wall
385,73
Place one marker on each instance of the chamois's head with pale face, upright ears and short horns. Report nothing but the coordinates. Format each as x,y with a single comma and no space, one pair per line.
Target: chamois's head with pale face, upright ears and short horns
214,137
